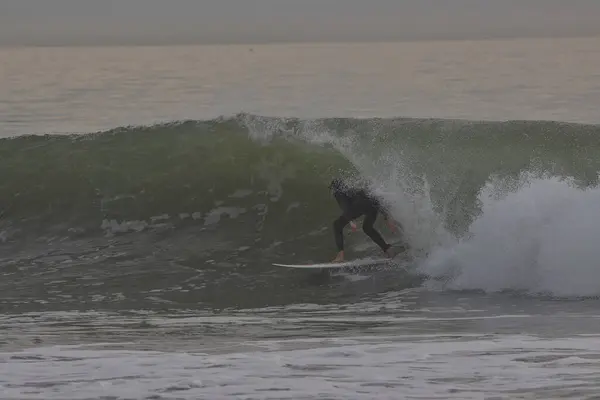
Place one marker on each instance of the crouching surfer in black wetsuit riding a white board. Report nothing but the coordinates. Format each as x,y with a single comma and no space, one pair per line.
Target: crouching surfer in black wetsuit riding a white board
354,203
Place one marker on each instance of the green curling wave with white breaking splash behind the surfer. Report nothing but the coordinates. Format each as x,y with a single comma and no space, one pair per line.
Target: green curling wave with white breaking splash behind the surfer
506,195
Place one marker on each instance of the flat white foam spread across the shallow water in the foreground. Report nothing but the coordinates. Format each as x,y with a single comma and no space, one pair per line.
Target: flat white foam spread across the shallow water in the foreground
467,367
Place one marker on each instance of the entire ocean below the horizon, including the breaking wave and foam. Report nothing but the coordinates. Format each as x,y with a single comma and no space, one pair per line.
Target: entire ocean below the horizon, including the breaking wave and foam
146,191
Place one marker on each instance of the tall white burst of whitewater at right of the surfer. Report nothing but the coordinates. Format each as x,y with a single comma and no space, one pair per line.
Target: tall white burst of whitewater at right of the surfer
543,238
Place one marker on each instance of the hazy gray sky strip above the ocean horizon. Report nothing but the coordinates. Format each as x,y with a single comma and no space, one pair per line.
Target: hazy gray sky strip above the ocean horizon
66,22
